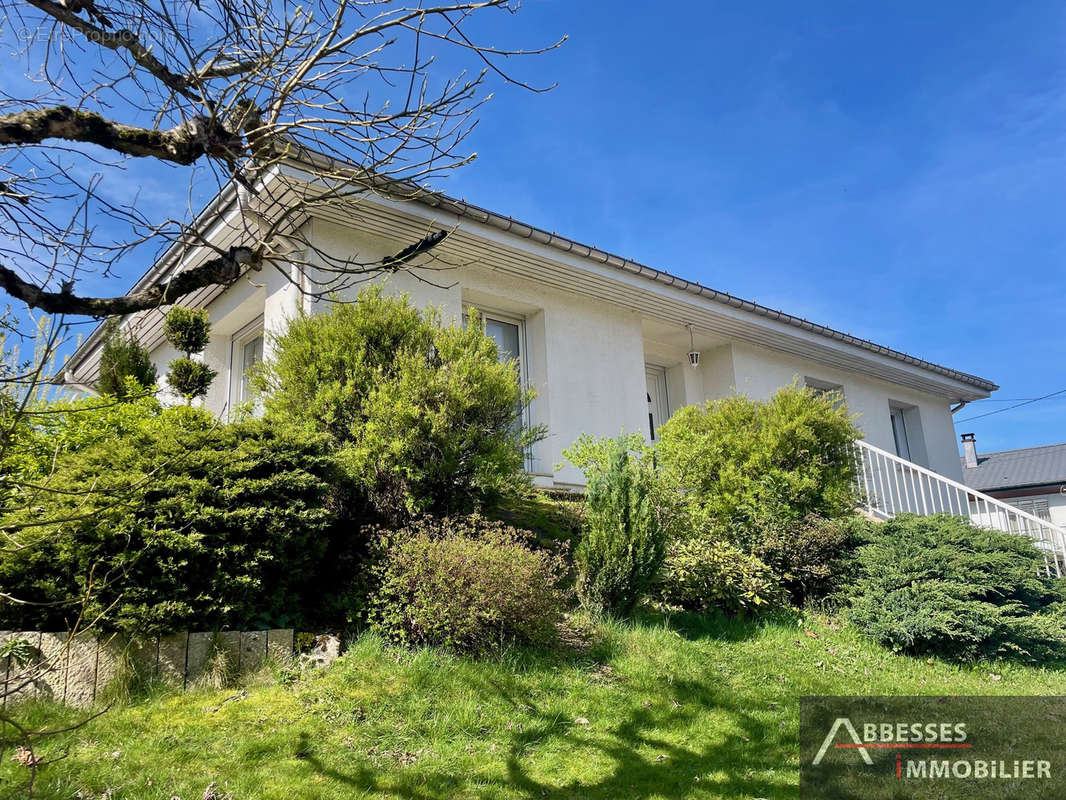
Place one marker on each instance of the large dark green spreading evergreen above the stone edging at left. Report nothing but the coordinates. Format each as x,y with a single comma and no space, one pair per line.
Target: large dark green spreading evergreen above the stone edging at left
175,523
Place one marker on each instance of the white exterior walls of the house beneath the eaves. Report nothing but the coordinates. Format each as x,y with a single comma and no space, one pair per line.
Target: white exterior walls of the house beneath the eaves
584,357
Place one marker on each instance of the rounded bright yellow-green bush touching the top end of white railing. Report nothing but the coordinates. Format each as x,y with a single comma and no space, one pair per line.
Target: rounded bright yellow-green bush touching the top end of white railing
736,461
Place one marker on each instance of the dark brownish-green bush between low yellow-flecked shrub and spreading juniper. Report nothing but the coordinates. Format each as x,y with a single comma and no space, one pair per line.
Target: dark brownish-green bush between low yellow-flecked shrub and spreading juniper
814,559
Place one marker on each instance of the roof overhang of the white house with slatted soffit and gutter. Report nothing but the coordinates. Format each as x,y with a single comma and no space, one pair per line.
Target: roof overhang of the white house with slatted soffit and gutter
403,213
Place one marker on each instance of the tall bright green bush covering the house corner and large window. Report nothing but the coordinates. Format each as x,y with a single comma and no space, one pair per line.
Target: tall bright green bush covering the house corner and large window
424,419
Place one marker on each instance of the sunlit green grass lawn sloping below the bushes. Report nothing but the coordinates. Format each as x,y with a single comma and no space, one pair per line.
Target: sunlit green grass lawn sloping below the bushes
688,708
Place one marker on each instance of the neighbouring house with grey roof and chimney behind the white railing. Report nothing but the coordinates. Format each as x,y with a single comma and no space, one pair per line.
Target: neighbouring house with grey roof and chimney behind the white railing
1032,479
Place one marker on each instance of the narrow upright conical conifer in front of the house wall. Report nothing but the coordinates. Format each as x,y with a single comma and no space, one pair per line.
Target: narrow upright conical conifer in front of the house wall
624,541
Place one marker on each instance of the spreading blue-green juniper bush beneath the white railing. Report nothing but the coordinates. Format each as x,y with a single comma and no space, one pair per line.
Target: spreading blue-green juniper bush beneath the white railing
939,585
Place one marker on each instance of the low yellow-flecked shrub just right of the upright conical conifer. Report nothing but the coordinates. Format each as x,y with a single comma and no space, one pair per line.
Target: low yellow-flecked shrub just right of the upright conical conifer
706,574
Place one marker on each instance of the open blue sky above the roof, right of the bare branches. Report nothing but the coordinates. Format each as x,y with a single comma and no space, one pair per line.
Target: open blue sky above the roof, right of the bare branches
898,173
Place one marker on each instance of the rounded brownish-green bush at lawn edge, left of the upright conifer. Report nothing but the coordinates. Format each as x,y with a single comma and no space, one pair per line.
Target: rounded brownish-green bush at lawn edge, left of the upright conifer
467,585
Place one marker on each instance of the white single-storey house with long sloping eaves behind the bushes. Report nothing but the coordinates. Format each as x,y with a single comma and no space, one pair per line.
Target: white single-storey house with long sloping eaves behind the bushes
606,343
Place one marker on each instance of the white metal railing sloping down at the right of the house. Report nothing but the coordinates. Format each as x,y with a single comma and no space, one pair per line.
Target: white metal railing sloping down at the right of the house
890,486
